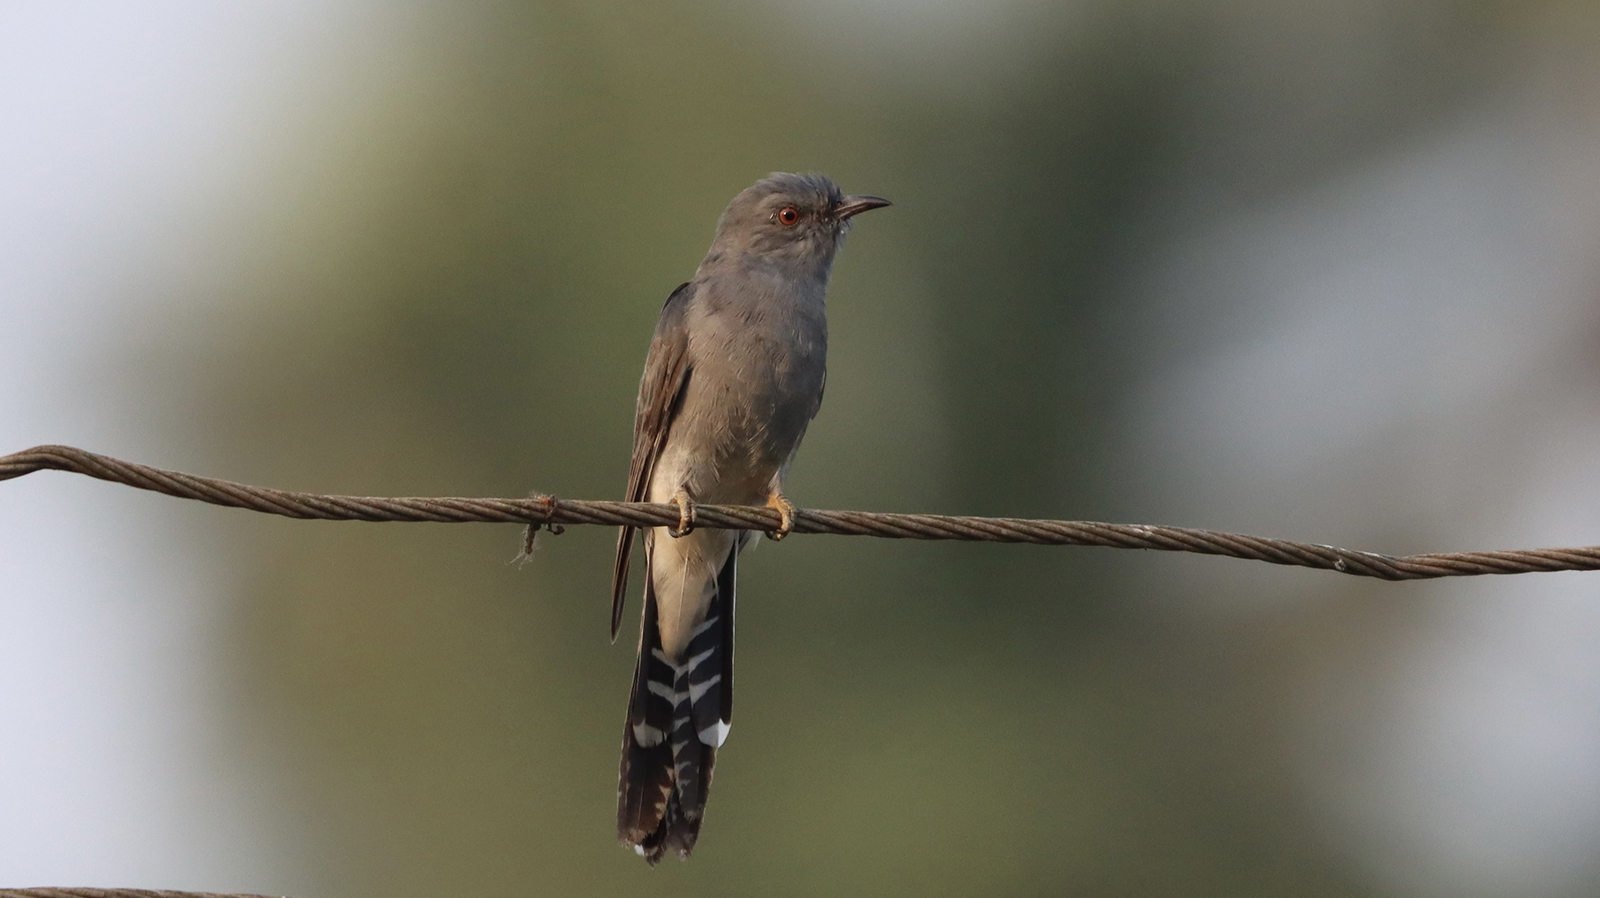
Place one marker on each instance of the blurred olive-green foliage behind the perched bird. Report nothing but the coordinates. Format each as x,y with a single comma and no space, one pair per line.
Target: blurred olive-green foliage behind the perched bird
454,297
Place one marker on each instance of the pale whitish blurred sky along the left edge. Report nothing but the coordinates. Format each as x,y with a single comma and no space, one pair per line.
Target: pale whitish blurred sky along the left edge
122,164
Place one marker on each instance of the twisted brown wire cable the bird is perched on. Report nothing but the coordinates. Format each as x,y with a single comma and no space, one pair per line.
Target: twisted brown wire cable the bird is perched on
553,513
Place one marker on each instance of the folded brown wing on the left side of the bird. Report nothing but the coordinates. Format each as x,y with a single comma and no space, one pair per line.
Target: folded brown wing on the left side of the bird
660,393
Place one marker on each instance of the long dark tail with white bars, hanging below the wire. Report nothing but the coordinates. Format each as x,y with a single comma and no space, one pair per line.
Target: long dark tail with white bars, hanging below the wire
678,718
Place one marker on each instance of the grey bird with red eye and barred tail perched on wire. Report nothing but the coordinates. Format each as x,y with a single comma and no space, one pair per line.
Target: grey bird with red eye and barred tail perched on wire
734,379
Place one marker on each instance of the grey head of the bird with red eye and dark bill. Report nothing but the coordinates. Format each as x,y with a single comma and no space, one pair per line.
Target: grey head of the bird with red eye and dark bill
790,220
